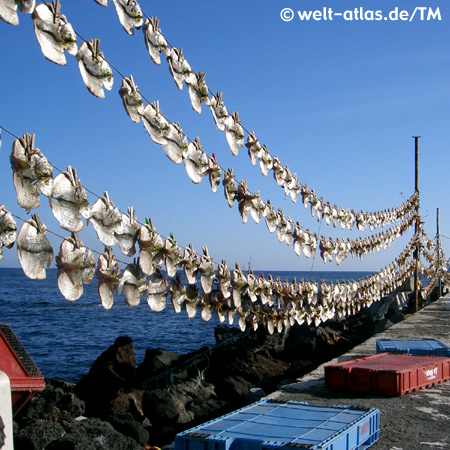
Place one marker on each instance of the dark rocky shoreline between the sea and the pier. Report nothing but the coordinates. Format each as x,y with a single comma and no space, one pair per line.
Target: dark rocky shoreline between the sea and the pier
119,405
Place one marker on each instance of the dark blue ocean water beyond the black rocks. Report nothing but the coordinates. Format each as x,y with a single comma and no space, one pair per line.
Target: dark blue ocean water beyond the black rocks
64,338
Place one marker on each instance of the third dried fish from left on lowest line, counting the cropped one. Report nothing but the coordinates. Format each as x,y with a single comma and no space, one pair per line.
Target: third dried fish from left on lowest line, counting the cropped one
76,266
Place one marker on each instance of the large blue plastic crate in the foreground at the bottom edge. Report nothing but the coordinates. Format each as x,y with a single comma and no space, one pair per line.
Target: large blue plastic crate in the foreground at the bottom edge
270,425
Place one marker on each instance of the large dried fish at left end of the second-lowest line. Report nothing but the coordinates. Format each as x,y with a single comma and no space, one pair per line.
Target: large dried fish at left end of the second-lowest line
32,173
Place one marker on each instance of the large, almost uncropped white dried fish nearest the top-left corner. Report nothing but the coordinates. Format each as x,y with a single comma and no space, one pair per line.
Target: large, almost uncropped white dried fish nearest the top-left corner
54,33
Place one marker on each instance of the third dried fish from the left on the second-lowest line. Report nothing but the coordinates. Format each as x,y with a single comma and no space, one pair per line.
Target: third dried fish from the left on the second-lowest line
105,218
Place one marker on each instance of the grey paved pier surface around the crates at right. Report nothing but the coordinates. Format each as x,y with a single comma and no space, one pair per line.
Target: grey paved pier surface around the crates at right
419,420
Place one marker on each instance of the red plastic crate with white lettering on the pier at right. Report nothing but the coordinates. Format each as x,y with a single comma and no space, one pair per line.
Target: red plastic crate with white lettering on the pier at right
387,374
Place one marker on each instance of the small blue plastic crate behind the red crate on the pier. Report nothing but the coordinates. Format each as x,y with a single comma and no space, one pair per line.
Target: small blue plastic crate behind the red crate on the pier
417,347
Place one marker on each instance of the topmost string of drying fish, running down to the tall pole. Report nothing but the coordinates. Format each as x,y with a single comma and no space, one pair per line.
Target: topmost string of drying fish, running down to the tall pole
231,125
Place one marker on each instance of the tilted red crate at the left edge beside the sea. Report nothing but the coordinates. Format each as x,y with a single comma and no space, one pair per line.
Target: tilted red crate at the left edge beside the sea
24,376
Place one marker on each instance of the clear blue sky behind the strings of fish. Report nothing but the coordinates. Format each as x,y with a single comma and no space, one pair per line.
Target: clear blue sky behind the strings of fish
339,102
